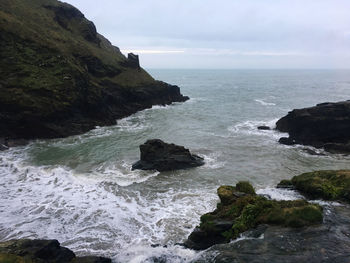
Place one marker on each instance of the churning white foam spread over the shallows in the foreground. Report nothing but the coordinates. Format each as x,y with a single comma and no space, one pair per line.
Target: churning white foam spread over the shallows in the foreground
94,215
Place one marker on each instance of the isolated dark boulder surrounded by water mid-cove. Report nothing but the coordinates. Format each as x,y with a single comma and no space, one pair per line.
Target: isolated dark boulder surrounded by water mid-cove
161,156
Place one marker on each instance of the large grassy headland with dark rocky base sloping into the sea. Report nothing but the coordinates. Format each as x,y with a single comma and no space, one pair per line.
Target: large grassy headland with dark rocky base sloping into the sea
60,77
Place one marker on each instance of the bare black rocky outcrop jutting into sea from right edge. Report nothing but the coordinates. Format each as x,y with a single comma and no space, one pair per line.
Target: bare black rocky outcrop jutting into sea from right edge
324,125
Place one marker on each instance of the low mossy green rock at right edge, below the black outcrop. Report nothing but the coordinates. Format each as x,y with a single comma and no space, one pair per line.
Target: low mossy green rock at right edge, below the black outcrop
327,185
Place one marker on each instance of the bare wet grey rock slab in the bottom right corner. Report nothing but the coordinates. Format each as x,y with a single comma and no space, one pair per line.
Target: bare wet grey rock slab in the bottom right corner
327,243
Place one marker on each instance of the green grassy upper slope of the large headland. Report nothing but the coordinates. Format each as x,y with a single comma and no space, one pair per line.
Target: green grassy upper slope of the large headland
32,21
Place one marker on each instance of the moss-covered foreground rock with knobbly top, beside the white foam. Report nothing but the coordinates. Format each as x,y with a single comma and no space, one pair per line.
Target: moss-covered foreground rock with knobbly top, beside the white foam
241,211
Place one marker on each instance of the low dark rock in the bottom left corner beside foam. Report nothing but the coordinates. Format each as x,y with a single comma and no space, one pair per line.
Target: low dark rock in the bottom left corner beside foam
41,251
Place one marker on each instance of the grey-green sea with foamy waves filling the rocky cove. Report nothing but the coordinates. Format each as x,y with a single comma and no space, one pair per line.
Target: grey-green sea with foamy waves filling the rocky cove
81,190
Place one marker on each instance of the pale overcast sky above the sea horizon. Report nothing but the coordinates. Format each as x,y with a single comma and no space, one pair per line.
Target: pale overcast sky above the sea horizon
226,34
